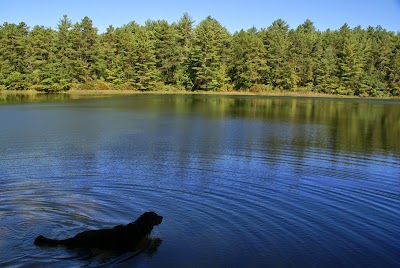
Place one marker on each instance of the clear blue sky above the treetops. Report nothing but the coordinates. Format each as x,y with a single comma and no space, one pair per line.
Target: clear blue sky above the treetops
233,14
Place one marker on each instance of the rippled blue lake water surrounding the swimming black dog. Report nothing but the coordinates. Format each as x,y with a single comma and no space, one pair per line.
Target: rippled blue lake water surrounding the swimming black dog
241,181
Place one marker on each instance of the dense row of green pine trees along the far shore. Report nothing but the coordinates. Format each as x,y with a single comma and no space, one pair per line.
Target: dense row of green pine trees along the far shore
182,55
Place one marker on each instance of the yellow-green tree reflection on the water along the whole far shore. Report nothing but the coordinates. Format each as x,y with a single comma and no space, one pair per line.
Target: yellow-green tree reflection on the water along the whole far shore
359,125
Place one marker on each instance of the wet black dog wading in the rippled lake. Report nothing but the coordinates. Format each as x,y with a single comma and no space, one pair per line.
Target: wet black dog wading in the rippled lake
121,237
